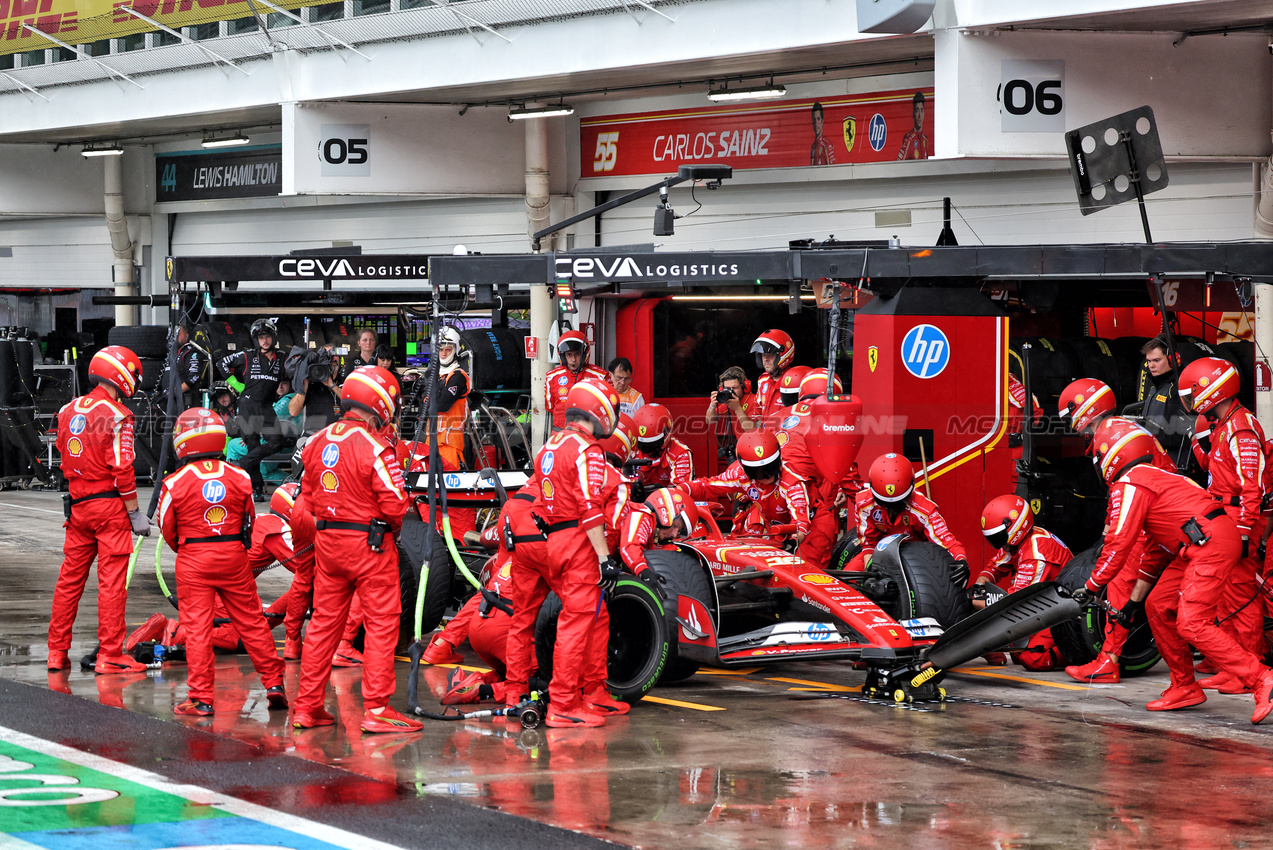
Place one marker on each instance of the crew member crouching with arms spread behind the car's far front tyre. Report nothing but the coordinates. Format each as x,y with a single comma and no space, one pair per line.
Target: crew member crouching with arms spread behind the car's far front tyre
890,506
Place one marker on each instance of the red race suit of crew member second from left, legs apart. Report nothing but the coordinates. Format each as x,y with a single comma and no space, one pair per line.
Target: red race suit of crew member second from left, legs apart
203,508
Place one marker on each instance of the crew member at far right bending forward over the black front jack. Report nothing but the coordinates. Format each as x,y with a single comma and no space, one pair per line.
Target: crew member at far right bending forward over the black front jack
1192,533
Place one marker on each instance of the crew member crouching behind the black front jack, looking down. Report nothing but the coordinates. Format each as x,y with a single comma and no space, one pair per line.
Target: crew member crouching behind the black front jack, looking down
1029,554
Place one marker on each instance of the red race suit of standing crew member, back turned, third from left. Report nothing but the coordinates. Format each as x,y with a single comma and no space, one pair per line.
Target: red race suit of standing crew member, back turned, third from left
352,478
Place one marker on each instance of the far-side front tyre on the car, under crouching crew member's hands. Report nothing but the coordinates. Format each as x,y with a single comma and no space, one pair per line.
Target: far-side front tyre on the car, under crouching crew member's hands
922,573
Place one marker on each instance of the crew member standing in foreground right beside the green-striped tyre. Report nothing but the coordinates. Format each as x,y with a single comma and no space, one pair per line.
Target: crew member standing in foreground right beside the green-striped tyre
561,547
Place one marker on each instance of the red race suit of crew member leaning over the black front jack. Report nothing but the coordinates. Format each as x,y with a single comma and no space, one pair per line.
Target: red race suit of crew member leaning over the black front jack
1162,505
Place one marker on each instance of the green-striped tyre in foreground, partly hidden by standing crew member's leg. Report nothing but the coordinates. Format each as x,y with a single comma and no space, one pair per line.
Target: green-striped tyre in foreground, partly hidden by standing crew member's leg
640,639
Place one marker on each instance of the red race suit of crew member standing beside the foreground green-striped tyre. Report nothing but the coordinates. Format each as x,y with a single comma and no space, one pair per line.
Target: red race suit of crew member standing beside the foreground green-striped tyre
572,473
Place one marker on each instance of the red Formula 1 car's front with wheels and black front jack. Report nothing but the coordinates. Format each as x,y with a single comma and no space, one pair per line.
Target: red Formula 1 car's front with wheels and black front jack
740,601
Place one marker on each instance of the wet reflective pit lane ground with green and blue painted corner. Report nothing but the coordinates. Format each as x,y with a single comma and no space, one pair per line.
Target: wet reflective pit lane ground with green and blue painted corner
768,756
